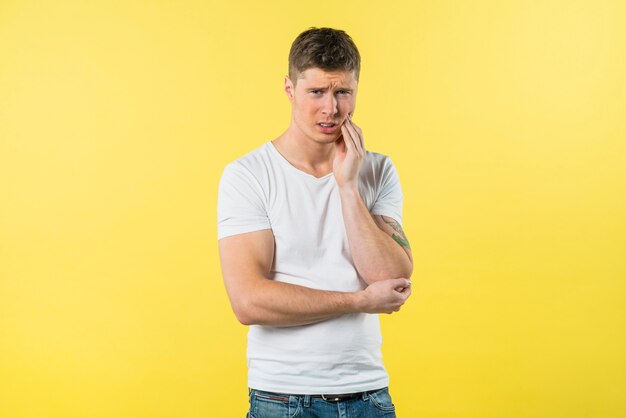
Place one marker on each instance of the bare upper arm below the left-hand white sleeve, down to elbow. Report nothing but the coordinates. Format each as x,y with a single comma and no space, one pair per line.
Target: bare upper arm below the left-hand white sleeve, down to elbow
245,258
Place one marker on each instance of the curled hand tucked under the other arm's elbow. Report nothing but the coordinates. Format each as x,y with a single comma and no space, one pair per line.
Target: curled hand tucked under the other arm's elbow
385,296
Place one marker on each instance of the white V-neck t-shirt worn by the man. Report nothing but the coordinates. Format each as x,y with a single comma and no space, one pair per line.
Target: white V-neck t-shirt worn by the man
262,190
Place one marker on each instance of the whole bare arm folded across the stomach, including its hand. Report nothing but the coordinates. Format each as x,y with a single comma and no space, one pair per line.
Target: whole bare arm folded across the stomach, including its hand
246,261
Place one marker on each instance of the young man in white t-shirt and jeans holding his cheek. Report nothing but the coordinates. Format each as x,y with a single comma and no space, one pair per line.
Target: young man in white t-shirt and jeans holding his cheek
312,249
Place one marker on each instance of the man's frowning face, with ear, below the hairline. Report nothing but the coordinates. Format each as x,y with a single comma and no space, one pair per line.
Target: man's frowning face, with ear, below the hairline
320,102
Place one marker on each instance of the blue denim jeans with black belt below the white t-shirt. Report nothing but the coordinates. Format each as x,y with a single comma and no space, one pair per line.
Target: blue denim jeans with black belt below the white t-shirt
372,404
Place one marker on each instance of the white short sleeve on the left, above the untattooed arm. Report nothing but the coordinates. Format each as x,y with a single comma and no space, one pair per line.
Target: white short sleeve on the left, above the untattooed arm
240,203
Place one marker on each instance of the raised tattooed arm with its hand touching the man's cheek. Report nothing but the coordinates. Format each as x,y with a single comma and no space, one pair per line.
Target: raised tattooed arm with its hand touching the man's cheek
378,245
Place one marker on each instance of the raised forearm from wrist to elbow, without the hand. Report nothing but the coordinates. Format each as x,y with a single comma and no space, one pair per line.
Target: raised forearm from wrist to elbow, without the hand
376,255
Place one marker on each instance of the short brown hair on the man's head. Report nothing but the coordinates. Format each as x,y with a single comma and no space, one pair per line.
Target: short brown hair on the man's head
324,48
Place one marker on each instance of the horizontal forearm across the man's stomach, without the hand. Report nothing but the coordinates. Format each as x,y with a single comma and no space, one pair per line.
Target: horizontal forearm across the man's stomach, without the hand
279,304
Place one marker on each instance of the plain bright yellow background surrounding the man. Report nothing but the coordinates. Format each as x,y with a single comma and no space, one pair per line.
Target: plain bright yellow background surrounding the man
506,121
